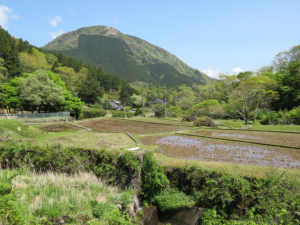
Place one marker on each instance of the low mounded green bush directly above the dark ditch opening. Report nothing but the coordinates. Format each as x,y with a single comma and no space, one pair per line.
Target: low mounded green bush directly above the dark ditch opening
173,199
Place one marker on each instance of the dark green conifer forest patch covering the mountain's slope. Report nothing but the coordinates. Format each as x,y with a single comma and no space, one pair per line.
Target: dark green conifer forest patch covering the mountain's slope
115,57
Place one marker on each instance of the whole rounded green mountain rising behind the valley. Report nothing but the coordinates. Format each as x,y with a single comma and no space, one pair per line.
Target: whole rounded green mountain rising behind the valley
126,56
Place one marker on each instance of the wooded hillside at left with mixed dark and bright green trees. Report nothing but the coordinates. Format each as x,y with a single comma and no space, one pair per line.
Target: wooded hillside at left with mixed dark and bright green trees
67,80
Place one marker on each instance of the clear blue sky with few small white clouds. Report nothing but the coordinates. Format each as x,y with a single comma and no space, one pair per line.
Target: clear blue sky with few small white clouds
212,36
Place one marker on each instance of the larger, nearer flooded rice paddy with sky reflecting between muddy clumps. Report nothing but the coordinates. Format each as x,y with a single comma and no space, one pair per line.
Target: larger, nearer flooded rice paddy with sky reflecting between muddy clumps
224,151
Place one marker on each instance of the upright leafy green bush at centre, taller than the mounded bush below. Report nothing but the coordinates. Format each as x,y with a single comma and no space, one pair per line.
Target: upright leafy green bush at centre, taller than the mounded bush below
153,178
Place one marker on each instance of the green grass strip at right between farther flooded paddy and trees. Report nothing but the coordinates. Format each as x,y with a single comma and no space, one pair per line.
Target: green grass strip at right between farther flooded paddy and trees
256,126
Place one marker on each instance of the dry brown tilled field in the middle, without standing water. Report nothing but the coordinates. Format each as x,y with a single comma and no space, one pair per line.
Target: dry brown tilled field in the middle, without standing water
133,127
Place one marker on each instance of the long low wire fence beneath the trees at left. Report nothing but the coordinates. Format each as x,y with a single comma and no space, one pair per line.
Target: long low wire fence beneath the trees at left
37,116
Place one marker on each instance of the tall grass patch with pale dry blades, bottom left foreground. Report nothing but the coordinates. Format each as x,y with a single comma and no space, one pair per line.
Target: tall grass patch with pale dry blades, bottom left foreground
57,195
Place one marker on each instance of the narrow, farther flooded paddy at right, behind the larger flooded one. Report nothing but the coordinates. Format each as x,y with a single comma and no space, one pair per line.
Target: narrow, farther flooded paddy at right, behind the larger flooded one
284,139
